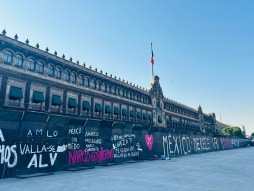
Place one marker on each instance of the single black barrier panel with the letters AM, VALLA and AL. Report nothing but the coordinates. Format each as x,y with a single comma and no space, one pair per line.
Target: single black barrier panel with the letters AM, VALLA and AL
32,148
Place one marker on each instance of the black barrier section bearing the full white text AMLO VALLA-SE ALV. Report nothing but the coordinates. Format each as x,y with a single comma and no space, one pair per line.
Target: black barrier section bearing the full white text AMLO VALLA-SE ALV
42,143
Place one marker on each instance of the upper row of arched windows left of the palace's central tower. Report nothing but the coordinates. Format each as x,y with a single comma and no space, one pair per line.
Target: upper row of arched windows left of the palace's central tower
67,75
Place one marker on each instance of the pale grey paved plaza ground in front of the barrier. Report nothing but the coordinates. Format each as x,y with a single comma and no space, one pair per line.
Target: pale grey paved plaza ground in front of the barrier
215,171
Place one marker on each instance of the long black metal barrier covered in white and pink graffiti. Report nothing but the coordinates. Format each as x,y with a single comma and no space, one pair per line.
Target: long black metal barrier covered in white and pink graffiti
35,142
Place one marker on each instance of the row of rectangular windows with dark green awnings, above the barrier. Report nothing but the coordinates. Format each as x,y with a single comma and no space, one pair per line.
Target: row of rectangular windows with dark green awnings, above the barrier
72,103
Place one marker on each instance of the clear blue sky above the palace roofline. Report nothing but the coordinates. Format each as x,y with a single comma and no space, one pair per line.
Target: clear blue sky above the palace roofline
203,49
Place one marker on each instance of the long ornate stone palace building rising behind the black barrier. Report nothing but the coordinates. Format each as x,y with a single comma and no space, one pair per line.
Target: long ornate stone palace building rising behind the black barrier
36,80
